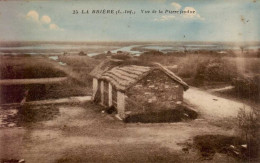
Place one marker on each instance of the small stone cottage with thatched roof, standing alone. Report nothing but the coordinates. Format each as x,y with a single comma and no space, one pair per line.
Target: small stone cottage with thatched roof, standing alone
134,88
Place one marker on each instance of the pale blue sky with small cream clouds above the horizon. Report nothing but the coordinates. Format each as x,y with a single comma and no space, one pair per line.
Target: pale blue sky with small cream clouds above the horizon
214,20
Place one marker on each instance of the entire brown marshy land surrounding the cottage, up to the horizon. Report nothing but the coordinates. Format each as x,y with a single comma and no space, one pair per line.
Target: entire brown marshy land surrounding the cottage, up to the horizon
224,95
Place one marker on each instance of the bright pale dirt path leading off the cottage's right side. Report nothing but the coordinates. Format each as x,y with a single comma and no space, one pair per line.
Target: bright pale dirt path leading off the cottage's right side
211,105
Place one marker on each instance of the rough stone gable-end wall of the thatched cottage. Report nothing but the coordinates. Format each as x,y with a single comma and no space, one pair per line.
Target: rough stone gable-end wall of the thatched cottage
155,91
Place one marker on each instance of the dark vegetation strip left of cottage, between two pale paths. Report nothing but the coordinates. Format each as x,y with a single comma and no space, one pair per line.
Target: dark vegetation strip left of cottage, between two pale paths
15,93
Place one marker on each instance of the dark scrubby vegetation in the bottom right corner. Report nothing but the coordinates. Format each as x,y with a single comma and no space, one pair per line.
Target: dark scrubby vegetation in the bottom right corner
244,147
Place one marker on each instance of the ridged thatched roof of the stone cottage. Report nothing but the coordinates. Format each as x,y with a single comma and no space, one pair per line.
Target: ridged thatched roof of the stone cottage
125,76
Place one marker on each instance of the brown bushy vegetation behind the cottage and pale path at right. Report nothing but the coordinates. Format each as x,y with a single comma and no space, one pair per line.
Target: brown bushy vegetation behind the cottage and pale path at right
205,68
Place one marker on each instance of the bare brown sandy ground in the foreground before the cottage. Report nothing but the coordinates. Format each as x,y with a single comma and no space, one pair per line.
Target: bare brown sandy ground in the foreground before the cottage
81,134
